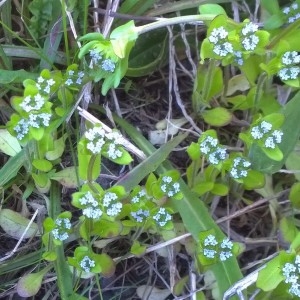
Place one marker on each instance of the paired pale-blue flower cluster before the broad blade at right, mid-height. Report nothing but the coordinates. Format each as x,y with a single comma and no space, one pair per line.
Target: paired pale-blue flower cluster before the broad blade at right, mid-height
264,132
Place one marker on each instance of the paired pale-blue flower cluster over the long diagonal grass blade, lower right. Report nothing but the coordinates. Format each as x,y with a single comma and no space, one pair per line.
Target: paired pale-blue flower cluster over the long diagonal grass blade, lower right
212,248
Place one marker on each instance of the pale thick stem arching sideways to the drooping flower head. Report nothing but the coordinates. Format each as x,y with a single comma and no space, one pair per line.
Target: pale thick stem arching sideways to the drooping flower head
174,21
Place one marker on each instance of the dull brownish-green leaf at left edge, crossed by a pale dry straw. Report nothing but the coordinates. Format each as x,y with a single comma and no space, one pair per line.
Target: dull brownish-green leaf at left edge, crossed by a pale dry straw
14,224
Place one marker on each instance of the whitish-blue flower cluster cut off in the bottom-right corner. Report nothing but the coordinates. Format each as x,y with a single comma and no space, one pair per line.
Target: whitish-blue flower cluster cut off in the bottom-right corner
291,274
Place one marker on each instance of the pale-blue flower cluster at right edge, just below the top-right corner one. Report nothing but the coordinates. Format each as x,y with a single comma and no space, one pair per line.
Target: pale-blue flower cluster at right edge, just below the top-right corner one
290,70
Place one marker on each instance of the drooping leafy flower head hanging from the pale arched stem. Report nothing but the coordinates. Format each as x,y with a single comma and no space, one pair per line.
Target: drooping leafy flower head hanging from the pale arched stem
109,56
